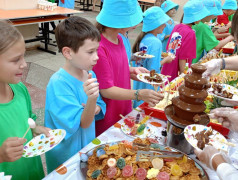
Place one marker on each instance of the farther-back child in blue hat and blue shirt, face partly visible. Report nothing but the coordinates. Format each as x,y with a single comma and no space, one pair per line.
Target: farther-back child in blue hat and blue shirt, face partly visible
170,8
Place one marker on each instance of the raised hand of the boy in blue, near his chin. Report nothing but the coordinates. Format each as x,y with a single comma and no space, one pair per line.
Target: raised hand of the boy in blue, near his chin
91,88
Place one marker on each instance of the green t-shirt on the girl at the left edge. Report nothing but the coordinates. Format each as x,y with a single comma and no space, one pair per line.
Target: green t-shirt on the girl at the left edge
14,123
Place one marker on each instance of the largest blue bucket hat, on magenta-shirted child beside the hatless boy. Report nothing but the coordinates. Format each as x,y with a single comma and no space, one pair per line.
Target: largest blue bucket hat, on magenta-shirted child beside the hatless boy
120,14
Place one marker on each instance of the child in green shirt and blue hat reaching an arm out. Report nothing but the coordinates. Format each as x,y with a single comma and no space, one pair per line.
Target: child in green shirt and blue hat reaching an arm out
205,39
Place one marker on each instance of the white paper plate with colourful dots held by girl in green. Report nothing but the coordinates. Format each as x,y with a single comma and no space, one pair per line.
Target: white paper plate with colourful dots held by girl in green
41,144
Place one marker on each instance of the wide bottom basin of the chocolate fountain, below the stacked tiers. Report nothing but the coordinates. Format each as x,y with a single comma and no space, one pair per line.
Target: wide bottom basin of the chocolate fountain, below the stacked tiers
181,122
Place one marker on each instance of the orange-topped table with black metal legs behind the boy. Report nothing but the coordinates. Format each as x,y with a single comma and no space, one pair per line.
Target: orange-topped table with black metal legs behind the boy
34,16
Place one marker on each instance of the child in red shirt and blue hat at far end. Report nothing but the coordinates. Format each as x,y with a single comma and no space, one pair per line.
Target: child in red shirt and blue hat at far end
229,8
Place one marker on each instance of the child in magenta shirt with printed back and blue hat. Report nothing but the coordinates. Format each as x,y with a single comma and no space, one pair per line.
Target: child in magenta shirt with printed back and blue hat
182,42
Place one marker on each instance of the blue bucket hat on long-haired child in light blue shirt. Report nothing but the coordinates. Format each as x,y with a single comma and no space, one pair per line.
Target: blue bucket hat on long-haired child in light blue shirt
153,18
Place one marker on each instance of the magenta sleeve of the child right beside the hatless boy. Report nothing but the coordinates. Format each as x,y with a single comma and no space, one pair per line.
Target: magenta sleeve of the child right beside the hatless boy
103,70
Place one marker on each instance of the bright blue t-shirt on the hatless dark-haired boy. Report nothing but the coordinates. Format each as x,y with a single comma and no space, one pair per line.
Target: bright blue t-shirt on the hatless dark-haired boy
63,109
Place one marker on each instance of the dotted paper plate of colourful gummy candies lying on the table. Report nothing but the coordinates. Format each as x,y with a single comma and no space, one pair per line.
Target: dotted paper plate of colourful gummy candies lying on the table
141,127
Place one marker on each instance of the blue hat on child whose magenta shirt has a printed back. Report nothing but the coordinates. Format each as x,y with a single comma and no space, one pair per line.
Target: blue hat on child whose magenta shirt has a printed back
194,11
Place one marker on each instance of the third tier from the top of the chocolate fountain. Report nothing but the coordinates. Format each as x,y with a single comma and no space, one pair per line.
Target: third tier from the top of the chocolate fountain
192,96
